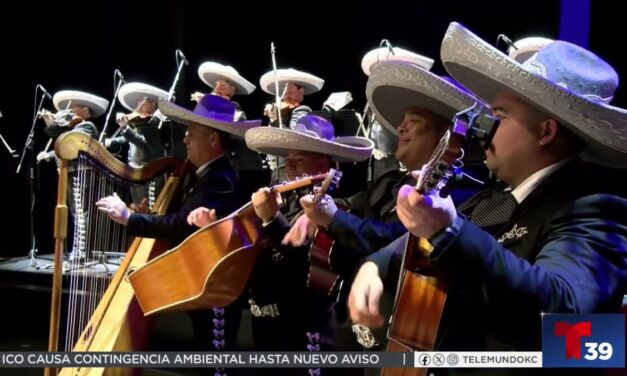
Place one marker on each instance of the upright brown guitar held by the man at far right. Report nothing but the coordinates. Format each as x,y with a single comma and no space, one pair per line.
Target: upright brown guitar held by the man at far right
422,291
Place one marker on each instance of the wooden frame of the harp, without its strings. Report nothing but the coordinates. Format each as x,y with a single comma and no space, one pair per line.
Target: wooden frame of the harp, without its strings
117,323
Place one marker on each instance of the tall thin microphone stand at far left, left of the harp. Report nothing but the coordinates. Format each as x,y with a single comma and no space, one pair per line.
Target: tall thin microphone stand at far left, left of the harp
28,147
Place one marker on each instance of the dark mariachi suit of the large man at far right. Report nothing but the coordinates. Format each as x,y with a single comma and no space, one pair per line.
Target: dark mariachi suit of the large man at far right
563,250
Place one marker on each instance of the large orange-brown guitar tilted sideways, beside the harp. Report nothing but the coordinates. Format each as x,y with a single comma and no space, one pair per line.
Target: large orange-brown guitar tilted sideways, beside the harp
210,268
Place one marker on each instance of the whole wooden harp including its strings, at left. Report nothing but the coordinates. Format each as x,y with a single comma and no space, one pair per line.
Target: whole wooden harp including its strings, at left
101,314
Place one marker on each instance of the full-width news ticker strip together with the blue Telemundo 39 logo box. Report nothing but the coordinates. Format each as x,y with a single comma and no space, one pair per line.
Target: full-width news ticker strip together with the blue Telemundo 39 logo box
578,341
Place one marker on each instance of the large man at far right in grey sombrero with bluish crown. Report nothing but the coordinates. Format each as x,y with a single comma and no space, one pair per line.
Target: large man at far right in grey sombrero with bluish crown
553,240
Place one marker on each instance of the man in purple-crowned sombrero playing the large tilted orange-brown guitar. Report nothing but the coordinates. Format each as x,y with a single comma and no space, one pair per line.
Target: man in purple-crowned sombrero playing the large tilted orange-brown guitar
288,315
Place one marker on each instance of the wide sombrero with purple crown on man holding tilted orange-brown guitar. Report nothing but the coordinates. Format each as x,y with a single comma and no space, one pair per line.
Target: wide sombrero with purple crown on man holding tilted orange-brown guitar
311,133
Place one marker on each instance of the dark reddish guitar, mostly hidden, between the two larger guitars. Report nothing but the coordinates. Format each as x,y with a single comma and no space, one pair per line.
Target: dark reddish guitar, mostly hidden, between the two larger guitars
321,276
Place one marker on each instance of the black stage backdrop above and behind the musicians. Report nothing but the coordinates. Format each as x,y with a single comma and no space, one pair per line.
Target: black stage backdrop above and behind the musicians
77,45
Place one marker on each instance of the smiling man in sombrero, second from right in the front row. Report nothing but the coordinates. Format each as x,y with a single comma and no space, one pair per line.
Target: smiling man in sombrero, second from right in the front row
418,105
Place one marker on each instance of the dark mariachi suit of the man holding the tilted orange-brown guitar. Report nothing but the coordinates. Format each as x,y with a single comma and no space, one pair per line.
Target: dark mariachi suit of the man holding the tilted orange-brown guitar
290,309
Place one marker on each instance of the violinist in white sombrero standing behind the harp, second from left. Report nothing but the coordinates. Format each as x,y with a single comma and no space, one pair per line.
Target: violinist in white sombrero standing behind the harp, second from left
139,130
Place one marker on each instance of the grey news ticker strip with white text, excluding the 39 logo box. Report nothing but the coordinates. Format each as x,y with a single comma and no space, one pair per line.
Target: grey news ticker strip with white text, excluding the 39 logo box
269,359
